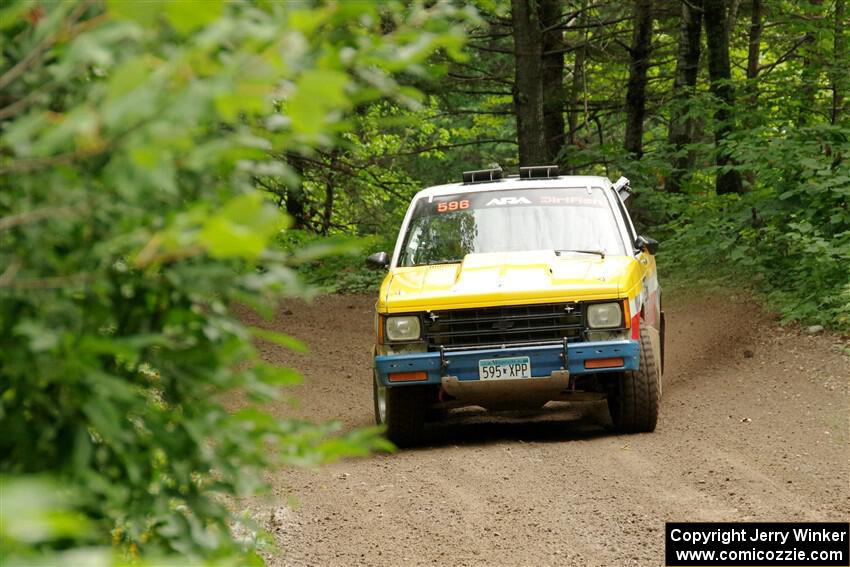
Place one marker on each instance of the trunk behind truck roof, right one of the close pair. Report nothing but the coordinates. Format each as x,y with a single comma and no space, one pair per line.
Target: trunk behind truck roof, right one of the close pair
553,79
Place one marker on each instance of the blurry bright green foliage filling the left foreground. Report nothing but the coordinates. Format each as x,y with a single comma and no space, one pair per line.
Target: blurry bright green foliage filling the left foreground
130,141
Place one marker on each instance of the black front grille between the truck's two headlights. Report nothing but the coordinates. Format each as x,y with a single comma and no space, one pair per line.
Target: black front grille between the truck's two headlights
504,325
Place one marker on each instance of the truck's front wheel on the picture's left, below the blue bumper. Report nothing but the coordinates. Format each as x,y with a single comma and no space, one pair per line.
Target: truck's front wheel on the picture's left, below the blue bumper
402,411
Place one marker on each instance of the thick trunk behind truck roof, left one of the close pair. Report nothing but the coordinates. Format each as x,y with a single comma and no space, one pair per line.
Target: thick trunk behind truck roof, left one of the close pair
528,82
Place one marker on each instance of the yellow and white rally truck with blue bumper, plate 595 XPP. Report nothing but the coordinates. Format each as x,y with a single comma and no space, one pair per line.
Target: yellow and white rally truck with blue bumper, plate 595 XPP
510,292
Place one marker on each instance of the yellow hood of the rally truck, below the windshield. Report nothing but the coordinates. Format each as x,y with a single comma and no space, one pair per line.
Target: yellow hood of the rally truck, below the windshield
514,278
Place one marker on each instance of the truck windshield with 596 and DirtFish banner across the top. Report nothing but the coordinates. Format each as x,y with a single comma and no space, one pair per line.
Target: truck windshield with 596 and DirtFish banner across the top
447,228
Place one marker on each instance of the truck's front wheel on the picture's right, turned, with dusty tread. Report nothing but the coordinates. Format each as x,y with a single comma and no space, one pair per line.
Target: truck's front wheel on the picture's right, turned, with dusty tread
633,402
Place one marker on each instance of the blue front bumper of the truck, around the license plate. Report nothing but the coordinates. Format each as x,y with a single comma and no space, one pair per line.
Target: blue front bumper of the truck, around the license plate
545,359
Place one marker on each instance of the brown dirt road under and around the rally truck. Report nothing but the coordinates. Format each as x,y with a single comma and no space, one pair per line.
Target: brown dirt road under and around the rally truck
753,426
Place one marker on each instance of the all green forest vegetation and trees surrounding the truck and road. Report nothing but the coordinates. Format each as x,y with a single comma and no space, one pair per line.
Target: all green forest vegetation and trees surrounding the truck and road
161,161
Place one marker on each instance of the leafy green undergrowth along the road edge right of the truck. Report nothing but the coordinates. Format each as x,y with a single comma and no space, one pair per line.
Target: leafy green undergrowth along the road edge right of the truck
789,236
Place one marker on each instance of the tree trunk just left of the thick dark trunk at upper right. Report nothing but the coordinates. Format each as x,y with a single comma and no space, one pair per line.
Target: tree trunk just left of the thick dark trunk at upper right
681,130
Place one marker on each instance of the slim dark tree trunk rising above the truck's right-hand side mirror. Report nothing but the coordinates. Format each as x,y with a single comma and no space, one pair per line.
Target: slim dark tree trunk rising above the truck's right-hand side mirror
636,89
